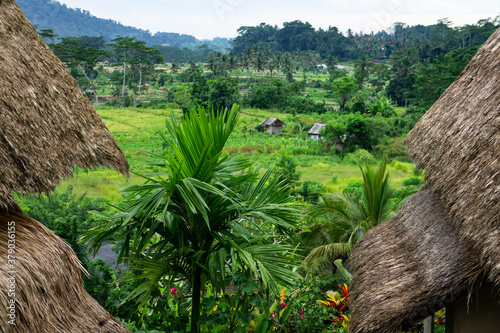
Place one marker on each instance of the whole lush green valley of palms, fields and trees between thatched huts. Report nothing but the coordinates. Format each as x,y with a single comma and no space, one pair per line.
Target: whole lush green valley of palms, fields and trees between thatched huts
256,163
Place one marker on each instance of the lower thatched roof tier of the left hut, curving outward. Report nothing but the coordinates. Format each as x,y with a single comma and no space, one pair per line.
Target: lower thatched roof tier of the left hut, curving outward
53,299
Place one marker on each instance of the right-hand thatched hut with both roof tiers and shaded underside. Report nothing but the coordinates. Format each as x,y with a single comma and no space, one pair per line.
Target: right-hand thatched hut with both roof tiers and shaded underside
443,248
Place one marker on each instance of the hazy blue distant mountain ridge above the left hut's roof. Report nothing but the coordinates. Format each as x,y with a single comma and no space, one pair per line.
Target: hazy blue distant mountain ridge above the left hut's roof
69,22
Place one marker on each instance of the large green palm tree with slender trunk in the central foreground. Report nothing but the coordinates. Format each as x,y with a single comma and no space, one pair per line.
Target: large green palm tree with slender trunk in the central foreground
207,215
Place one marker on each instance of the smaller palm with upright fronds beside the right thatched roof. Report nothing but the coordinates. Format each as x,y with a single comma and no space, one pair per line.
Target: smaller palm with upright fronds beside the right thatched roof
343,219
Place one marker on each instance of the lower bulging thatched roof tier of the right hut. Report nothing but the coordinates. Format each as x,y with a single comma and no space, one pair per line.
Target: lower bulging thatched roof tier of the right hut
409,267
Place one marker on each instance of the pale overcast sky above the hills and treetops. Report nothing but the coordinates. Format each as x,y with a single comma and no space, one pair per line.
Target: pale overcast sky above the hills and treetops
221,18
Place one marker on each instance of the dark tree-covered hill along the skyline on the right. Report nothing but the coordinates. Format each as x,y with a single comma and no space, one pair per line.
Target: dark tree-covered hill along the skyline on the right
430,41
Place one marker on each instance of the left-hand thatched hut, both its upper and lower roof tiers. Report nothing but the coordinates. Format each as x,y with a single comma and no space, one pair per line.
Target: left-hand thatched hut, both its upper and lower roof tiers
47,126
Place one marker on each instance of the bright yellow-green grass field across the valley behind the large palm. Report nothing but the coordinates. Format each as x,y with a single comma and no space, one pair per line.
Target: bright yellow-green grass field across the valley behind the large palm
136,130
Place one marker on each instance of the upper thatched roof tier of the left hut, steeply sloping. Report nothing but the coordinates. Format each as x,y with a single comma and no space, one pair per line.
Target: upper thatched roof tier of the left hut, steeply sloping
47,124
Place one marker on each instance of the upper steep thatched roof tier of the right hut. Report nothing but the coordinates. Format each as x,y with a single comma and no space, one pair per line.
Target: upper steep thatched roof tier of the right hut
457,142
